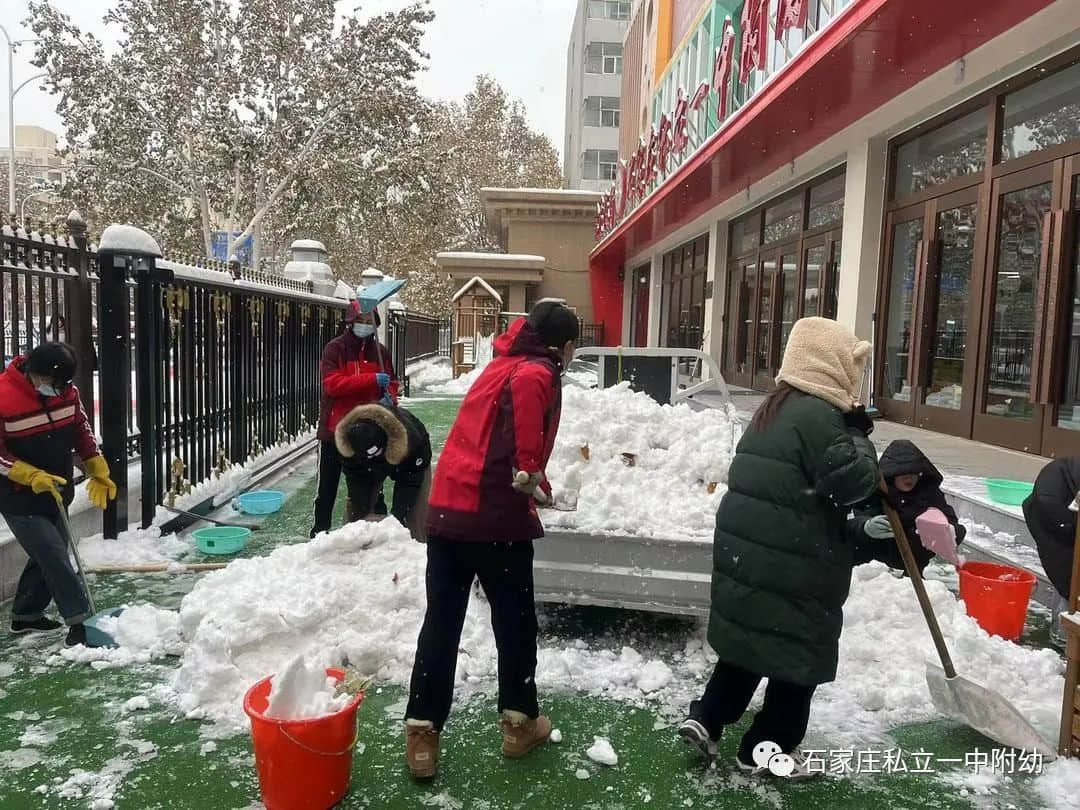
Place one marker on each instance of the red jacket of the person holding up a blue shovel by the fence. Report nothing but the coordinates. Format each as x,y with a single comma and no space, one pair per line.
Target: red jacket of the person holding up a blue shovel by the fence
348,371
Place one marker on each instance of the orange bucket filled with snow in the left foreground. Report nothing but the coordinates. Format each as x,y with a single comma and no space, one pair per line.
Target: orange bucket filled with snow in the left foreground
303,765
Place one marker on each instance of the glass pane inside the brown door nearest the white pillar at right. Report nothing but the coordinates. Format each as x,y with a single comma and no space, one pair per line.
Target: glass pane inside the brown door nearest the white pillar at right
906,245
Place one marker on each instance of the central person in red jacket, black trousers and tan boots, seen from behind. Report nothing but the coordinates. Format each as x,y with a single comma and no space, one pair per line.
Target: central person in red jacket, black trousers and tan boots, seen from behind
482,520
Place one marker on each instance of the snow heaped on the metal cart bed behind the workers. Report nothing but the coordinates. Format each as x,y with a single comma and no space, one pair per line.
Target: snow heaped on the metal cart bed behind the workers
679,456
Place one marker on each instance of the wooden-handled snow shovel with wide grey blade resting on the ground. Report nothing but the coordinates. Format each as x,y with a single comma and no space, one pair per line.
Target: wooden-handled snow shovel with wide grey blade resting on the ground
956,696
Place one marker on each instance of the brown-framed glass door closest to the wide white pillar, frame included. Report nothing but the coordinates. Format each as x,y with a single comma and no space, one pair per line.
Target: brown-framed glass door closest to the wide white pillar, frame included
906,259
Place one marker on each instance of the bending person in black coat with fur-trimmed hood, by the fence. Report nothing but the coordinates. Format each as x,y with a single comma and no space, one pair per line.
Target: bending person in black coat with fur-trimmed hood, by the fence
377,441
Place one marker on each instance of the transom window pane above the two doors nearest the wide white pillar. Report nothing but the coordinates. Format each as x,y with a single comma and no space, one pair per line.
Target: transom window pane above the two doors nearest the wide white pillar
953,151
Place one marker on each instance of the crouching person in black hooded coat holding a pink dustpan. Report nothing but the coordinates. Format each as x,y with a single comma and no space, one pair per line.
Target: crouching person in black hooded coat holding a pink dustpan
914,488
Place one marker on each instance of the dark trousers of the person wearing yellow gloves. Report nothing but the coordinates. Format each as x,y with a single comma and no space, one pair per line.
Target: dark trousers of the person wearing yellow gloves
49,576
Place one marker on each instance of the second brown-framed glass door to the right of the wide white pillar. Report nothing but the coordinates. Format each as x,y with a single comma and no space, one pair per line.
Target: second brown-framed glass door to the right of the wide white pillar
946,370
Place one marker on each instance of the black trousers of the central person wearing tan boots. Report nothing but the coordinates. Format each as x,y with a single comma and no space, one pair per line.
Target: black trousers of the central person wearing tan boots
506,574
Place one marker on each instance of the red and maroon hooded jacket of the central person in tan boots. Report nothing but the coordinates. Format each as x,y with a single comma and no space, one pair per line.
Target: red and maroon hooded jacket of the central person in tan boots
508,422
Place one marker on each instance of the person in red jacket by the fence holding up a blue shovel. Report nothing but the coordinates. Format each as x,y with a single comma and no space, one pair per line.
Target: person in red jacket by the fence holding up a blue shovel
357,370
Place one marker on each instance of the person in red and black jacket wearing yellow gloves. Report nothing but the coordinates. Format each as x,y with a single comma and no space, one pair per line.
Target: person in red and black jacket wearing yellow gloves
42,424
